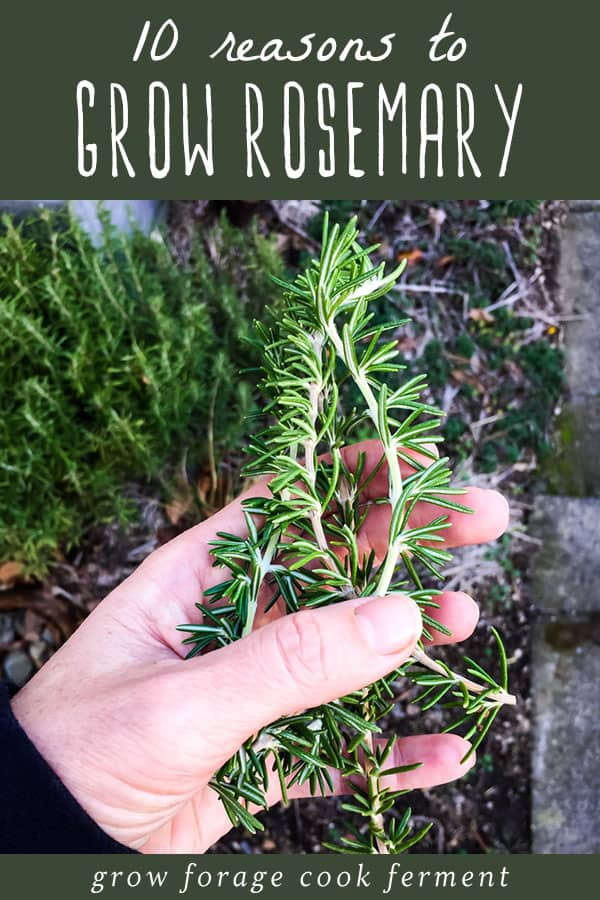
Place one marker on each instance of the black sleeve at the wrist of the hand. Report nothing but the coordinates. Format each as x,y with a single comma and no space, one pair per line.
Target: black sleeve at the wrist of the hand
37,812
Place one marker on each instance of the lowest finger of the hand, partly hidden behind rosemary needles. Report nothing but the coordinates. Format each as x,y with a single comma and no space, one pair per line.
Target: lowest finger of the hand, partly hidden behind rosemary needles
440,756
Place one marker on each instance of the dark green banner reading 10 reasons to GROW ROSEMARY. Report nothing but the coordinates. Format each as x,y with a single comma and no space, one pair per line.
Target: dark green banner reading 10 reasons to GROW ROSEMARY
172,98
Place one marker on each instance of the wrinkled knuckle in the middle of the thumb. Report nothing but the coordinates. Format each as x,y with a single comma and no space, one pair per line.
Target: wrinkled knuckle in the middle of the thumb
302,648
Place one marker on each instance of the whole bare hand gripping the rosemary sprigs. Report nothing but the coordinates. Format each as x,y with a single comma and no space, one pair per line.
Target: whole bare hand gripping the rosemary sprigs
135,733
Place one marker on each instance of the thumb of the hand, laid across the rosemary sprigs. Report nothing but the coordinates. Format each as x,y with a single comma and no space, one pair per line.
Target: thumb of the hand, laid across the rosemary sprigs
302,660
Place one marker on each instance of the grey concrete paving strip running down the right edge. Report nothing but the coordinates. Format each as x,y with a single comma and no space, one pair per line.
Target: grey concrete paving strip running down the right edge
566,571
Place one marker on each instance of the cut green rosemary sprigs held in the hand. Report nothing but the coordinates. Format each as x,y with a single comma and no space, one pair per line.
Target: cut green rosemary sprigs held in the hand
302,544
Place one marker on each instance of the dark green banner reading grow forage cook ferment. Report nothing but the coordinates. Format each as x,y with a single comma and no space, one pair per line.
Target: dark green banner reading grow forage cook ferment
169,877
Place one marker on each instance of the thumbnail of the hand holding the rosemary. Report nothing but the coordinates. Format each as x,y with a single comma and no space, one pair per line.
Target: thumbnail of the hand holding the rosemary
389,624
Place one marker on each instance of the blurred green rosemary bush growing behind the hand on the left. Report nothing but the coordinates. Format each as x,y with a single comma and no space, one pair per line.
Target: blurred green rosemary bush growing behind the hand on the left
116,362
